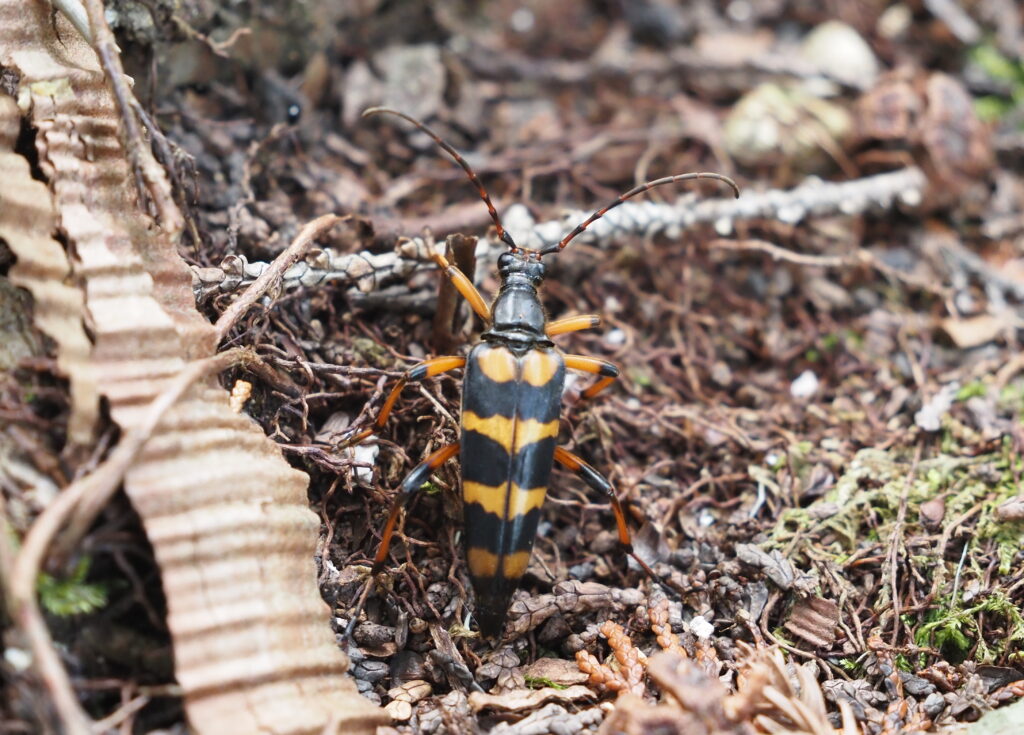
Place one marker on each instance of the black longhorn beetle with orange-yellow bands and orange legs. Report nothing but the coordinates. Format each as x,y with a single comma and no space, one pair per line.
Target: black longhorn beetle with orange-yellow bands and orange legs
511,401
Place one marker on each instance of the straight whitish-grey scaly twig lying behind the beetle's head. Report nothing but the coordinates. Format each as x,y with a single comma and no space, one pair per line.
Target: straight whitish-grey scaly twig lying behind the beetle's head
365,272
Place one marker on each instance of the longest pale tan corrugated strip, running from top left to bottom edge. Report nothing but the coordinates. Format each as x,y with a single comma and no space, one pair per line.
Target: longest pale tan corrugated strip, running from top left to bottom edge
228,518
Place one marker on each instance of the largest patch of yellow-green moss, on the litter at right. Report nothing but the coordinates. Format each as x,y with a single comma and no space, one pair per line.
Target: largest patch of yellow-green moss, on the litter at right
862,511
